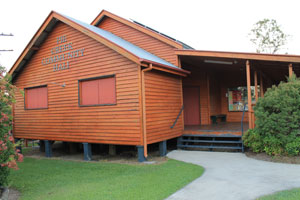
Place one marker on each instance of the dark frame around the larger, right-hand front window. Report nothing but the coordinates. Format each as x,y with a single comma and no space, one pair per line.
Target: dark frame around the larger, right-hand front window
95,78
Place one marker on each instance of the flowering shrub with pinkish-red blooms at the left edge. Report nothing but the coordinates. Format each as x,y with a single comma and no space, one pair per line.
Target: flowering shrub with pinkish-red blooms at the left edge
8,154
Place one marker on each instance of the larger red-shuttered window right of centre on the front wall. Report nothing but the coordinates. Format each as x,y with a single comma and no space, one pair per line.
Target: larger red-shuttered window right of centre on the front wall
98,91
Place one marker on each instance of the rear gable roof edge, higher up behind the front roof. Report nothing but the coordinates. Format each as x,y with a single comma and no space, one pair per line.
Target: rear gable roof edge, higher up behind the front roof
138,26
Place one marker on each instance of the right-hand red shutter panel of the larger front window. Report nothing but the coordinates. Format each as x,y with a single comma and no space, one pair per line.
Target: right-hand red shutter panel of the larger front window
107,91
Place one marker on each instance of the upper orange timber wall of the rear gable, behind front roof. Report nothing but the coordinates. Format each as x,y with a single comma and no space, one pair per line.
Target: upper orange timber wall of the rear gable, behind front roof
140,39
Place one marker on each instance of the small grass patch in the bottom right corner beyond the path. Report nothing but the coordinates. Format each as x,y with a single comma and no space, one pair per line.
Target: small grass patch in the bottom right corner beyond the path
293,194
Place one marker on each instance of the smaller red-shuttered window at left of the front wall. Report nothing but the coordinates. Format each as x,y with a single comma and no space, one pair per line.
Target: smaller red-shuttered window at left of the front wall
36,98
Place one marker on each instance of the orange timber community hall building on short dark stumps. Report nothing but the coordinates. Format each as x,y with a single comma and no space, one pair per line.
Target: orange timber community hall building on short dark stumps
119,82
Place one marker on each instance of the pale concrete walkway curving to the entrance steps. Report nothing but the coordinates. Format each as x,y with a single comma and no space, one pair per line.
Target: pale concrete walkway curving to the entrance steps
234,176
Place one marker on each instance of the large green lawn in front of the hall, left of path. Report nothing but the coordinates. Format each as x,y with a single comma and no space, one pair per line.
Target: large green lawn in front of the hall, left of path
57,179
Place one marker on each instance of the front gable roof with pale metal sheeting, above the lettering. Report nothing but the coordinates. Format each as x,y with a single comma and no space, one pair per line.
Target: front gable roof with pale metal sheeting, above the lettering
110,40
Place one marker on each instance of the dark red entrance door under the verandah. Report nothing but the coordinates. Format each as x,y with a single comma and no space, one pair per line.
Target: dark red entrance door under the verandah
191,102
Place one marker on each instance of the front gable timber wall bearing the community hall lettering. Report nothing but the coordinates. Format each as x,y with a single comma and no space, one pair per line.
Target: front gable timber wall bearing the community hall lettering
65,119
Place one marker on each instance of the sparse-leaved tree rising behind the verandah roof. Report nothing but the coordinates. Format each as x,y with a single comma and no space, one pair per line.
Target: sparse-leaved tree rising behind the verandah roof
267,36
